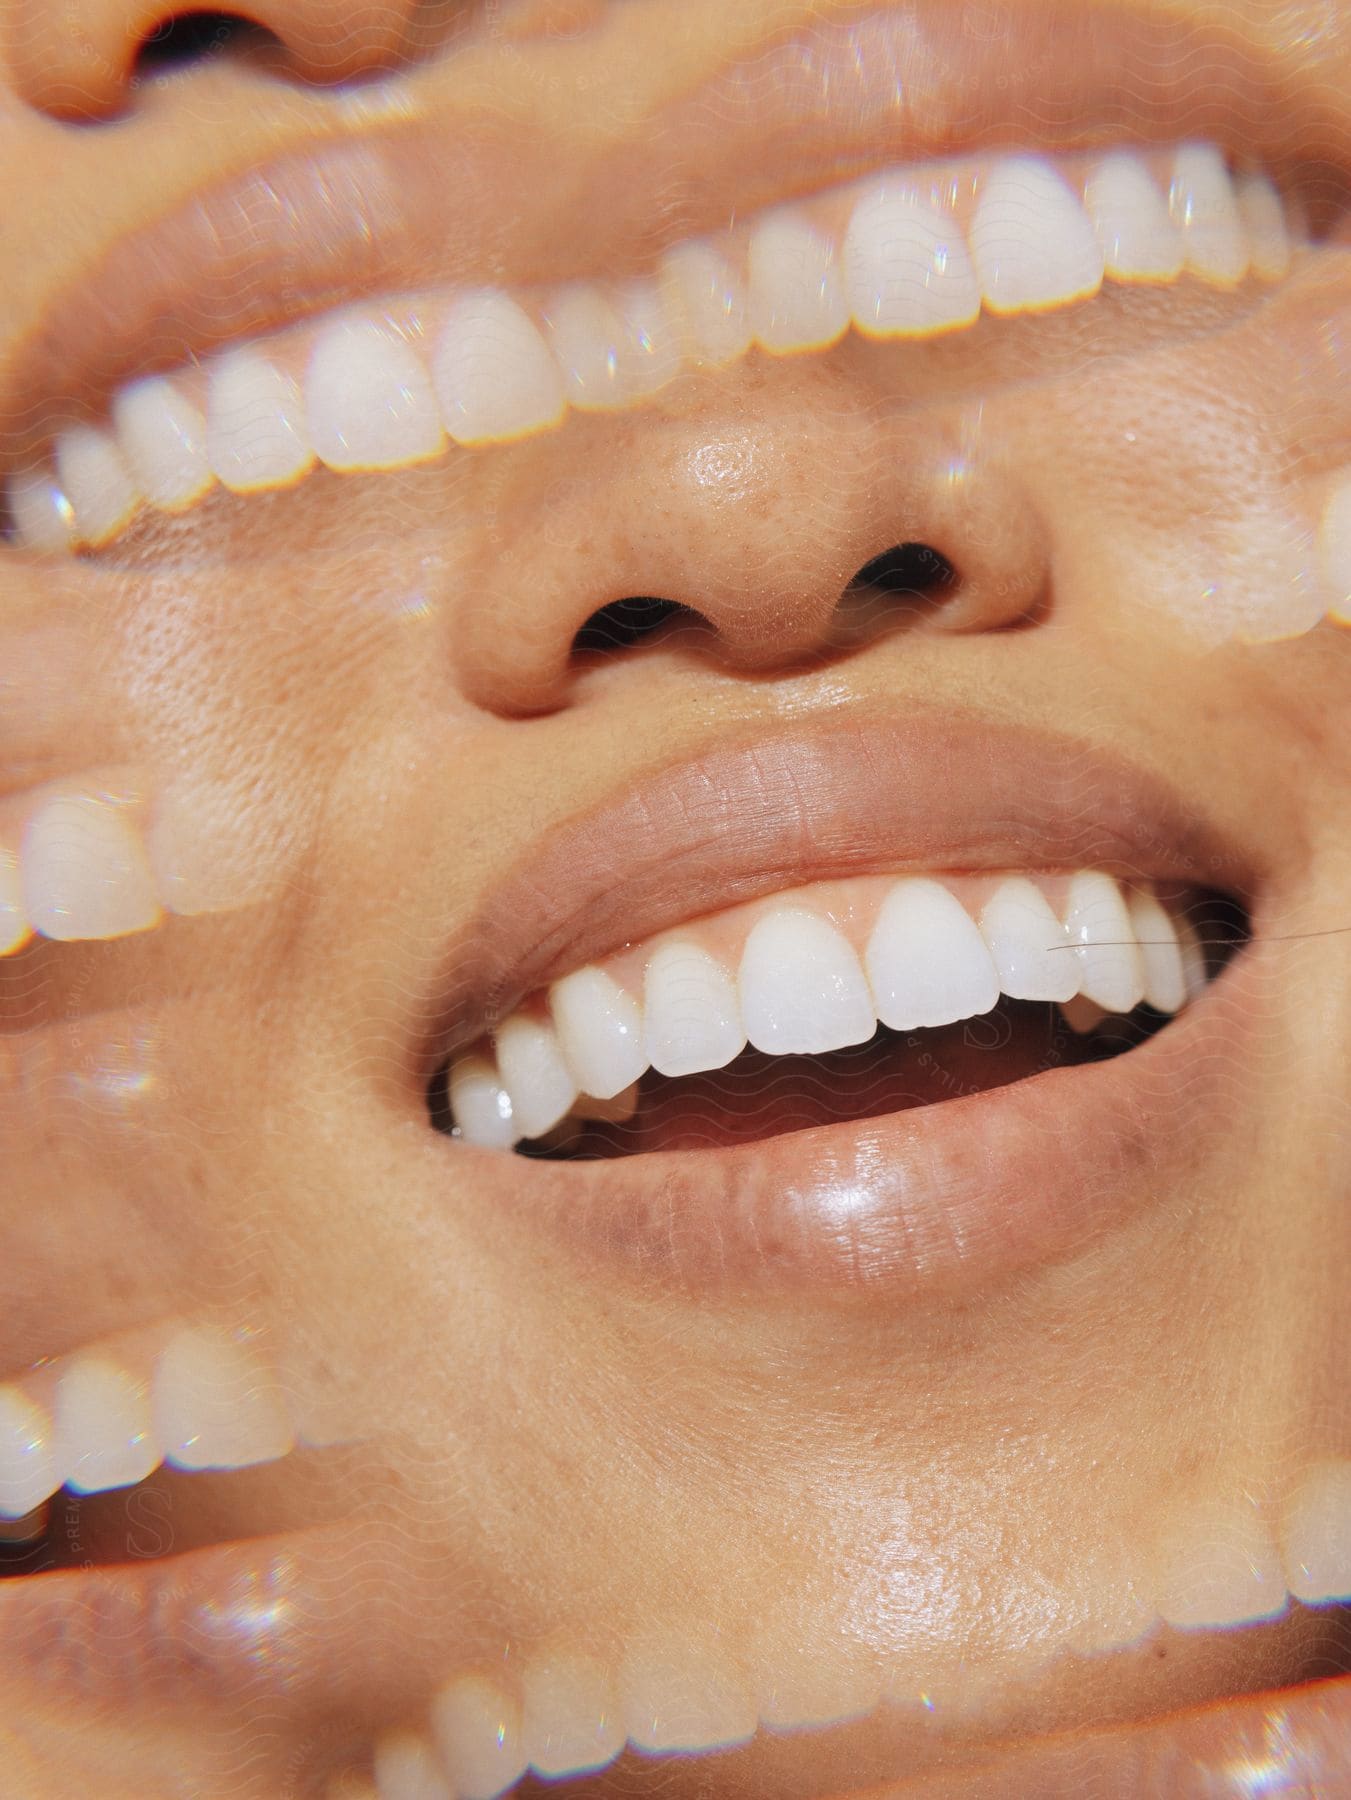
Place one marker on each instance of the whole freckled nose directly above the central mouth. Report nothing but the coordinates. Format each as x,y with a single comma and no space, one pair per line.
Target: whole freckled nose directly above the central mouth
782,519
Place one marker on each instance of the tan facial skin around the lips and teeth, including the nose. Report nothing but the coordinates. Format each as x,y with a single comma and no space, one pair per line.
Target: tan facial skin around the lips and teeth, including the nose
375,676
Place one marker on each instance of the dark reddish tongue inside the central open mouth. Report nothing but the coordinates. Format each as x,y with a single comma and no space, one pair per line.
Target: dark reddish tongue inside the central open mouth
762,1097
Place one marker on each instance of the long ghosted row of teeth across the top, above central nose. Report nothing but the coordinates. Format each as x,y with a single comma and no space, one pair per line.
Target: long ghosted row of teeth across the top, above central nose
904,255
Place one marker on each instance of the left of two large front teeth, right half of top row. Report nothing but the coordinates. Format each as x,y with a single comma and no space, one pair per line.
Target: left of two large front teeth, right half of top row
908,269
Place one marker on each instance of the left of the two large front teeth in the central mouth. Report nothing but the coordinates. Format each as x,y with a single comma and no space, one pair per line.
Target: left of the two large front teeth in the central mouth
803,989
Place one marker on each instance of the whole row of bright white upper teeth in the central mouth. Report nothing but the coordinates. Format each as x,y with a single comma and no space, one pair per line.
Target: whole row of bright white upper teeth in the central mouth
814,971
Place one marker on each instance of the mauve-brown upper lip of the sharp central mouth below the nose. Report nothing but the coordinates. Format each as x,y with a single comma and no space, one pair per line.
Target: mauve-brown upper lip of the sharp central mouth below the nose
870,791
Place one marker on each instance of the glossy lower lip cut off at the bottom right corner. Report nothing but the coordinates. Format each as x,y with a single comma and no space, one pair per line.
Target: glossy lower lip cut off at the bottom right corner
1294,1741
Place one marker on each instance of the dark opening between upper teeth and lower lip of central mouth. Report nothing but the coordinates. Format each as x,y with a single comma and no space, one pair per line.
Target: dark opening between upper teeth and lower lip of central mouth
765,1097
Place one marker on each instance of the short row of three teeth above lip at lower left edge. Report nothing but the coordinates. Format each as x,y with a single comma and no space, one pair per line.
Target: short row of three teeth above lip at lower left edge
109,1417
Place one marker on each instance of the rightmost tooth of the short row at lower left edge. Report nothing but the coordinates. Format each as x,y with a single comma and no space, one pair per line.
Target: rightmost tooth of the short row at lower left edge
213,1407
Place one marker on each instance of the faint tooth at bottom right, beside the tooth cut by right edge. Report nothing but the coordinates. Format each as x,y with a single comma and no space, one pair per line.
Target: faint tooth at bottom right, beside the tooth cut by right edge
1221,1569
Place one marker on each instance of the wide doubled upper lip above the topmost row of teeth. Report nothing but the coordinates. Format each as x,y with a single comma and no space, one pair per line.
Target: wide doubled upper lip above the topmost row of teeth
479,193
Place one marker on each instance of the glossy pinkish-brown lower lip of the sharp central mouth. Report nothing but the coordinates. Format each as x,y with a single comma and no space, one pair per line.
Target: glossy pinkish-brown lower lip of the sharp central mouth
938,1201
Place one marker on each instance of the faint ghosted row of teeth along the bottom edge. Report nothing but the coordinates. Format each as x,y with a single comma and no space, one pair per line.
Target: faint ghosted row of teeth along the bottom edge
690,1693
